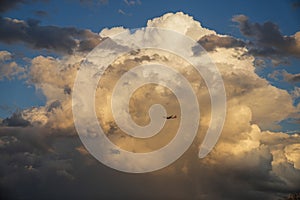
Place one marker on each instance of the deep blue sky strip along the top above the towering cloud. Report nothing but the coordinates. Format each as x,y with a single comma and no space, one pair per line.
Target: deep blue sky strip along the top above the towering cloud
211,14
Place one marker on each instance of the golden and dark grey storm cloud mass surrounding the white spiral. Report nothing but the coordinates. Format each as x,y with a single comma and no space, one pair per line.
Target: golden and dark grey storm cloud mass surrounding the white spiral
41,156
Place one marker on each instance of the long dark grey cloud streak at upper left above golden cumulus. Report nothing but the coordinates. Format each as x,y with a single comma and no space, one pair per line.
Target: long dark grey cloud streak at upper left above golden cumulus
54,38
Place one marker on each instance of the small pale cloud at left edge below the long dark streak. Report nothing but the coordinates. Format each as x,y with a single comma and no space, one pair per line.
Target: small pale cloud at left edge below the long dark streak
8,68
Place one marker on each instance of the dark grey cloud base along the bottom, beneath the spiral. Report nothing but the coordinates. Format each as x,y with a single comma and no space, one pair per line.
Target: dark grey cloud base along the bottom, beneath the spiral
39,163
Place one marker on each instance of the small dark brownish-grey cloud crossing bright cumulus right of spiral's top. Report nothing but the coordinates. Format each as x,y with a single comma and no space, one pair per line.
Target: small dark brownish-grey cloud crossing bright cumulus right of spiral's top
210,42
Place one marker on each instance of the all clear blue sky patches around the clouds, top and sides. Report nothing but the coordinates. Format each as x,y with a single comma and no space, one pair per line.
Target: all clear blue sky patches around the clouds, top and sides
212,14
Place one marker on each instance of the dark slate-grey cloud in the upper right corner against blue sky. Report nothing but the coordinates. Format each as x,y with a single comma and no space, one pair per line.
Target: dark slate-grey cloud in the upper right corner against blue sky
267,40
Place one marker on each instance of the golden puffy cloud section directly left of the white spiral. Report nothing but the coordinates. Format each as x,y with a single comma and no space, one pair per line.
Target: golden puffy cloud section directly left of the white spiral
55,78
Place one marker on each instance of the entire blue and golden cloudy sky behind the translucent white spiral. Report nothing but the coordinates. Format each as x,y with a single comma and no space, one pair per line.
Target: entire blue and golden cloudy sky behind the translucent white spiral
255,45
